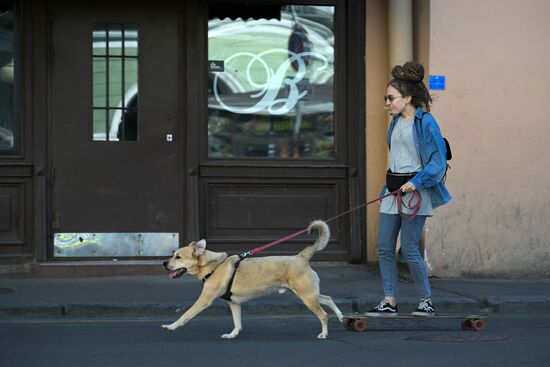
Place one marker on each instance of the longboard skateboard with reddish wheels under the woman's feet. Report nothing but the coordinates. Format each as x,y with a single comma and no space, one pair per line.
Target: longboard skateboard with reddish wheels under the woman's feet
358,322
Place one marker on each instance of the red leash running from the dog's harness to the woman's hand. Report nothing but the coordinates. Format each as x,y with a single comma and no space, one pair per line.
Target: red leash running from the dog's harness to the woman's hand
414,206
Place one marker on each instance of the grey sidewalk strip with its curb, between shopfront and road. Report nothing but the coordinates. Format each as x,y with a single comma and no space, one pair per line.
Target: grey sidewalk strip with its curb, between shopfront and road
351,286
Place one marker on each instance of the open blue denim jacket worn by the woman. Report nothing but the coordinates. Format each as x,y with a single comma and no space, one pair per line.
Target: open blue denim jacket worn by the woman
429,143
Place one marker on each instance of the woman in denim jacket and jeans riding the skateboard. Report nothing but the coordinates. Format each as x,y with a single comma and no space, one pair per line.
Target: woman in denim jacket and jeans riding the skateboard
417,149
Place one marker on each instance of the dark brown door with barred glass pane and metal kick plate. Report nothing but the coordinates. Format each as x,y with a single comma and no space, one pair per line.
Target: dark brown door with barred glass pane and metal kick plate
115,129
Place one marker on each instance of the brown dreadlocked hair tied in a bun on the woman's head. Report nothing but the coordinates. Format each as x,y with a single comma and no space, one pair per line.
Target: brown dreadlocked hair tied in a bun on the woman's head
408,79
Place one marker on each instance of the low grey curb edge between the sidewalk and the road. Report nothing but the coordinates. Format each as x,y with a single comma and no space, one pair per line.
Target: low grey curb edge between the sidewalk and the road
537,304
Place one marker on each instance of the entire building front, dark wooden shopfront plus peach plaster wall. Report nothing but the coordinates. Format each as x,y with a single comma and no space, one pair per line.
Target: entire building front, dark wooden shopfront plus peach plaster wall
256,117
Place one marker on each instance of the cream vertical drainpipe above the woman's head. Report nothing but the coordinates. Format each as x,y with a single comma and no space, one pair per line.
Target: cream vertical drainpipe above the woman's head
400,32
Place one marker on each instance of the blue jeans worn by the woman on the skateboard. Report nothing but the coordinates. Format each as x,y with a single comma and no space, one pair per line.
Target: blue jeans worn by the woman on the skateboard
388,229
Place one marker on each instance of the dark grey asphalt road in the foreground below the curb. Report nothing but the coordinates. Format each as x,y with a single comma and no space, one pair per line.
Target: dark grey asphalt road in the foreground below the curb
509,340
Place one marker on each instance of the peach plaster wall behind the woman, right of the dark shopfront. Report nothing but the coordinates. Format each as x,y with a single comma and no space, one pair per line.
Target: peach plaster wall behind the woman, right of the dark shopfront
493,57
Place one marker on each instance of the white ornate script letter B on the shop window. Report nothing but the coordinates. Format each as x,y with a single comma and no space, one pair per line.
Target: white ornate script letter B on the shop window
274,81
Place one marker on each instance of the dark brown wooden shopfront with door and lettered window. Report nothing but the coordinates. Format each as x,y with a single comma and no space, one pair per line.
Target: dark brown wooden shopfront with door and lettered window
135,127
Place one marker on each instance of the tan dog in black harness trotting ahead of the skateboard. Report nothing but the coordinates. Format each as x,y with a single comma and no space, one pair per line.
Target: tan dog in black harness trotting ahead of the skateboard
254,277
